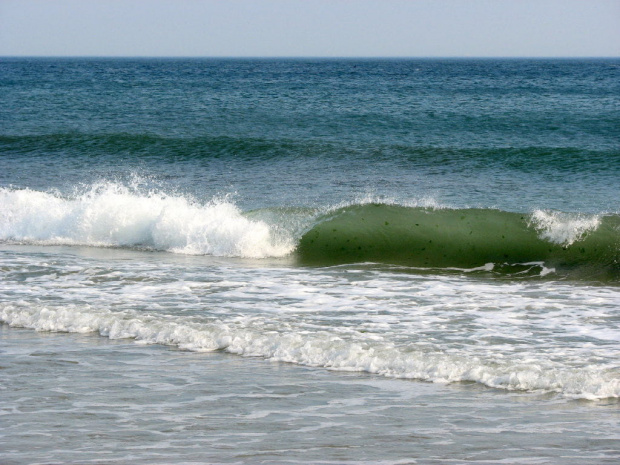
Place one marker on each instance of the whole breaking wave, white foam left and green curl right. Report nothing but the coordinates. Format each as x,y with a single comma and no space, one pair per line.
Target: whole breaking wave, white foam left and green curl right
108,214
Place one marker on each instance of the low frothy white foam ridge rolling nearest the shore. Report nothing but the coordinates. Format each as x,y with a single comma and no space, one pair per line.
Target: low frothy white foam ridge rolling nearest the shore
249,336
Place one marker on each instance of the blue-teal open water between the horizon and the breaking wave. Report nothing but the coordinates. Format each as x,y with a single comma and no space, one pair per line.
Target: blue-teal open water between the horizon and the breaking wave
466,132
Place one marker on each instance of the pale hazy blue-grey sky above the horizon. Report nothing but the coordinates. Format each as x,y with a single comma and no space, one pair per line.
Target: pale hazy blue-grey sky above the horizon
310,28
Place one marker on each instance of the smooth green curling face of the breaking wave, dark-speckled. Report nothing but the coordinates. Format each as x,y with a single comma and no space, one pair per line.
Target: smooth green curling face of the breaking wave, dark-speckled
468,238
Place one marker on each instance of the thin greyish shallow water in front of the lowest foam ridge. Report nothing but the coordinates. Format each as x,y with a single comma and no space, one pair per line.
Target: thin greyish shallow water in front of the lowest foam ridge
71,398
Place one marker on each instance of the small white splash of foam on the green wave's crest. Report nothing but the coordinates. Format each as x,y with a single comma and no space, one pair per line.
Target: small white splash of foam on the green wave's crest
563,228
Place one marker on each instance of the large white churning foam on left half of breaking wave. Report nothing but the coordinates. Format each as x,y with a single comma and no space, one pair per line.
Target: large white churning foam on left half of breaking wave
114,215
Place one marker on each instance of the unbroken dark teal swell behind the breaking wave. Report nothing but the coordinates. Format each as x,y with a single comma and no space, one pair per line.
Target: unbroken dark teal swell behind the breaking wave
527,159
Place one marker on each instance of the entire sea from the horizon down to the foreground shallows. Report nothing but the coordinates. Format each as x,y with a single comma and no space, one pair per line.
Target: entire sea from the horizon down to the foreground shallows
295,261
